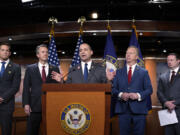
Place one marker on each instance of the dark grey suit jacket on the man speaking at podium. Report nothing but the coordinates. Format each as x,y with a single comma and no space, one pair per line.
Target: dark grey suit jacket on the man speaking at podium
97,74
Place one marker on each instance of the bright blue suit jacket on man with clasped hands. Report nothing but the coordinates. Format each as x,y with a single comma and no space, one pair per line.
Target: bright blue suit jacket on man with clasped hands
140,83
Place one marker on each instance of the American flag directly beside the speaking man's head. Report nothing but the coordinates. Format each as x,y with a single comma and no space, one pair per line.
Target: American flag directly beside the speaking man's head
76,58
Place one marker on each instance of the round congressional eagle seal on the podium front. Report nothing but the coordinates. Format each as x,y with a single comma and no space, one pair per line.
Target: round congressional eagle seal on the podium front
75,119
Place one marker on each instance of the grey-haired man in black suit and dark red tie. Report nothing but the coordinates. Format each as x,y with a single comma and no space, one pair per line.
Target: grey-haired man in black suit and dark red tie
35,75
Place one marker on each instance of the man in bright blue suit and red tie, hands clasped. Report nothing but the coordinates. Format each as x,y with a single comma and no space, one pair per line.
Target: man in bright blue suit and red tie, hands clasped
131,87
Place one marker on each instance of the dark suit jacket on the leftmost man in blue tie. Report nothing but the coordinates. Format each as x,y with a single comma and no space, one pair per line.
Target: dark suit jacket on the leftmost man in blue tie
9,85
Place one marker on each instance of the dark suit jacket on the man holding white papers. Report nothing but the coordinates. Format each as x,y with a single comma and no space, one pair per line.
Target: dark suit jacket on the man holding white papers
169,91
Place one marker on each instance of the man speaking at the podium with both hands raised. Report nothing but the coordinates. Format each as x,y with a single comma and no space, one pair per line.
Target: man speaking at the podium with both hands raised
87,71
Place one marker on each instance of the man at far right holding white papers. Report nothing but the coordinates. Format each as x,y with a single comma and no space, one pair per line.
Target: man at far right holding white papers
169,91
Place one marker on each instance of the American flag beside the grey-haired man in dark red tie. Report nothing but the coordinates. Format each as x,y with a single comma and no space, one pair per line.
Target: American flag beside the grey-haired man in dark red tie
53,56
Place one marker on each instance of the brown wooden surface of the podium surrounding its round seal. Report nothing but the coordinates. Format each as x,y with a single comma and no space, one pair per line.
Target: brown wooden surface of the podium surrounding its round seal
95,97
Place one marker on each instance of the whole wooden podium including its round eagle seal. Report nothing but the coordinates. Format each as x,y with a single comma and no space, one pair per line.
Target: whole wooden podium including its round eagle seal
59,100
